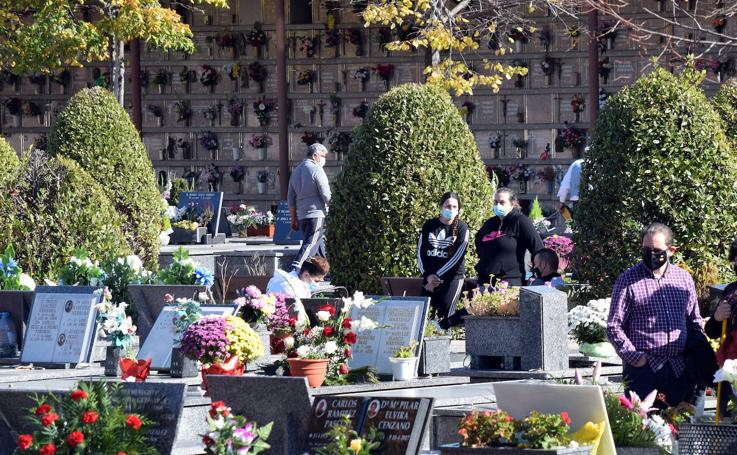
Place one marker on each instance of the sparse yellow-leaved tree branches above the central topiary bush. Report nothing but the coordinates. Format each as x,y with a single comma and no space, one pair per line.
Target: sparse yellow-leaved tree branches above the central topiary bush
452,30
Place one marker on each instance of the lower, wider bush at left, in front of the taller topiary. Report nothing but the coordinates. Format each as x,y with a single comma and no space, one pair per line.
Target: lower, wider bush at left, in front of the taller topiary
54,207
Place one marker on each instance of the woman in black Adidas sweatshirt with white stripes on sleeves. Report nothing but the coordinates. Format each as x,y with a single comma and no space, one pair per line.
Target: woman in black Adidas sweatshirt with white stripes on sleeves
441,253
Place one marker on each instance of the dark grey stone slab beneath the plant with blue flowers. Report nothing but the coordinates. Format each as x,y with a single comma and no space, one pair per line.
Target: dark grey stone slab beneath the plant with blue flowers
149,300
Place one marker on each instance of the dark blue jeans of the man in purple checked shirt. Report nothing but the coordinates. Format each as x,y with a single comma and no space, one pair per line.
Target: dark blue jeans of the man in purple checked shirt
644,380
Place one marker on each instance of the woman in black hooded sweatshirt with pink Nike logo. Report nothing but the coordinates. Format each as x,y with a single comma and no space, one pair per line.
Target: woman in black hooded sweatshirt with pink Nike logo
502,241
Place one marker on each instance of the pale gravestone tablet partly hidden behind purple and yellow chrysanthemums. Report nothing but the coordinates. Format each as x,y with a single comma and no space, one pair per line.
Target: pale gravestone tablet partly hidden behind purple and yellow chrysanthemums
161,338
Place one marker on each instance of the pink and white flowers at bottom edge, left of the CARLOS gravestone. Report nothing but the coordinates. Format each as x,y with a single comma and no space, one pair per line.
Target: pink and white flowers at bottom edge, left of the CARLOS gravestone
232,434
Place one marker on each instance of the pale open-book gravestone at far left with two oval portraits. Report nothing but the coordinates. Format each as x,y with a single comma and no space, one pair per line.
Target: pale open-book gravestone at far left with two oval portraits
61,326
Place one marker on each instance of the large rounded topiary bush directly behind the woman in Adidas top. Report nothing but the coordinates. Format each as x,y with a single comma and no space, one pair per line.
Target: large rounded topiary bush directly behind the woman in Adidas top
412,147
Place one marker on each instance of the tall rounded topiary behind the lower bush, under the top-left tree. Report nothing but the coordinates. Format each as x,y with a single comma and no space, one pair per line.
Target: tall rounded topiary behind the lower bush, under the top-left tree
96,132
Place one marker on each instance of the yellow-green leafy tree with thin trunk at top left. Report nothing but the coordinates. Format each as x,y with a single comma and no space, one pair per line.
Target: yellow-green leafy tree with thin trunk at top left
46,35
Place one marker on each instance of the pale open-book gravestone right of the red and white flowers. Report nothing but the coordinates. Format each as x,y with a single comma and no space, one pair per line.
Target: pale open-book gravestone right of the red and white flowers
404,318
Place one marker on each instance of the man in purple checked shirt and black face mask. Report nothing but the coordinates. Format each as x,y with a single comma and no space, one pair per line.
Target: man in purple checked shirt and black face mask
653,312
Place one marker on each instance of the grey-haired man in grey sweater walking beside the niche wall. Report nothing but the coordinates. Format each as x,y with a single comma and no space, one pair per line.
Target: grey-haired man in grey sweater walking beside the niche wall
308,197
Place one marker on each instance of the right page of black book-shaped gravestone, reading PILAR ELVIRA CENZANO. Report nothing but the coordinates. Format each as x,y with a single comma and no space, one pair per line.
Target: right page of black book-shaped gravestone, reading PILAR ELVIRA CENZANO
401,422
